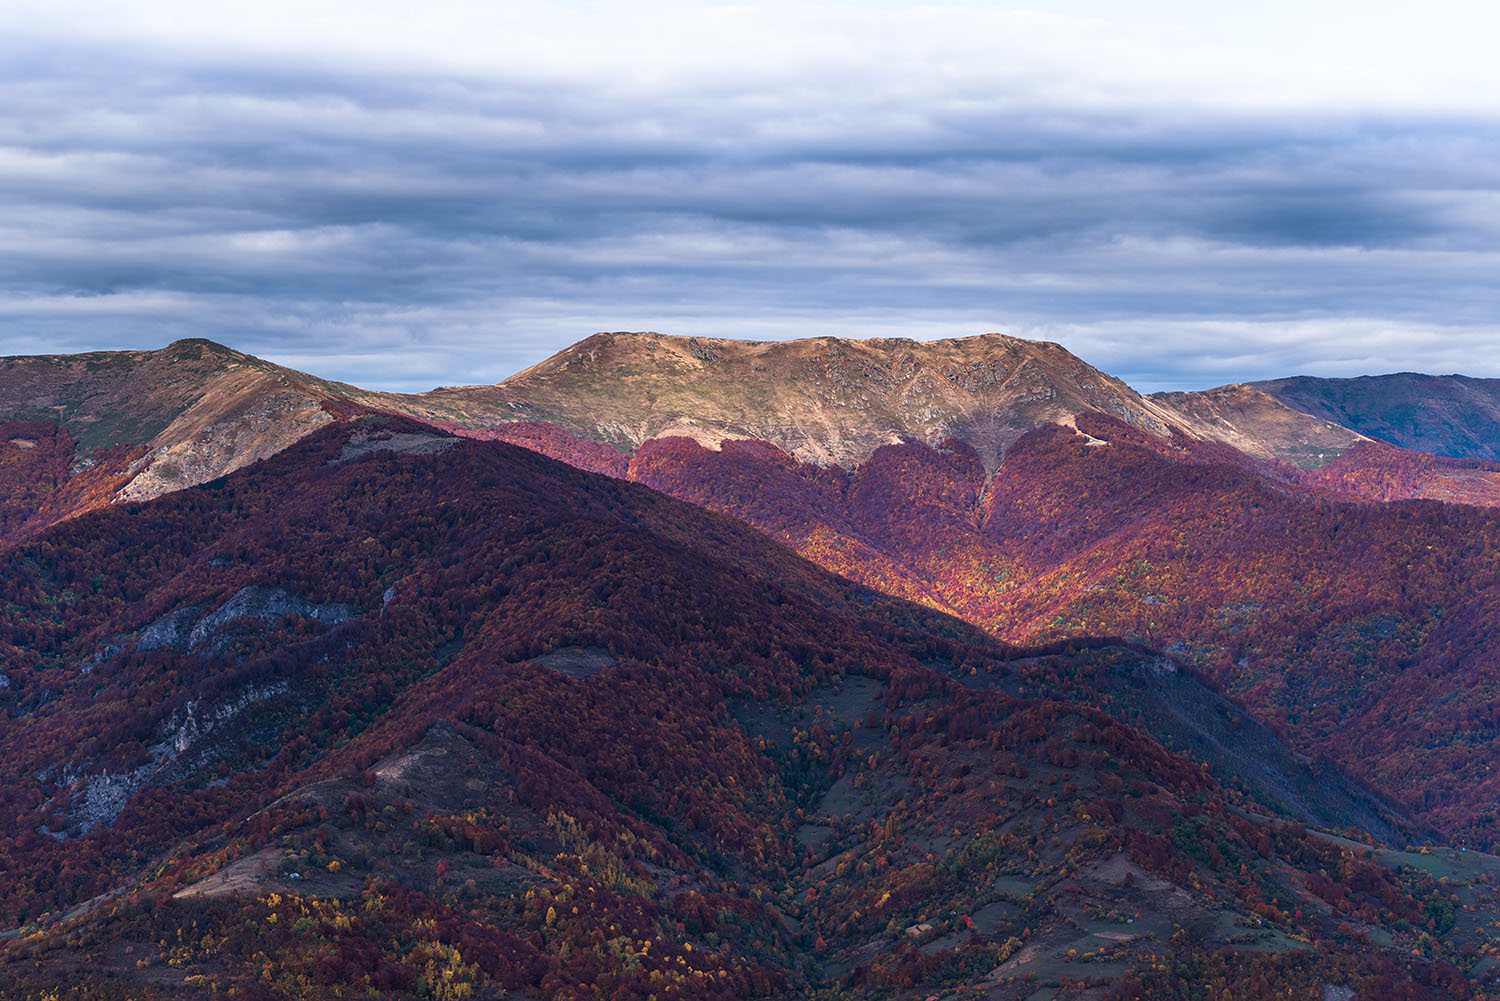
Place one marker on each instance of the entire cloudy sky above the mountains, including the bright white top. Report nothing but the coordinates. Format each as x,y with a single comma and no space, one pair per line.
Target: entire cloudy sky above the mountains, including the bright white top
407,196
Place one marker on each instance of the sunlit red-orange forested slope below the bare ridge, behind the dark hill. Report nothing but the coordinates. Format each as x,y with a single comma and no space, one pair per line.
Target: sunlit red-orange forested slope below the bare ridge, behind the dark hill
1354,628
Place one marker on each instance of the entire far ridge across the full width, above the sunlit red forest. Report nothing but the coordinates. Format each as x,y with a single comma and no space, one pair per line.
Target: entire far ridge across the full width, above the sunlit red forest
83,431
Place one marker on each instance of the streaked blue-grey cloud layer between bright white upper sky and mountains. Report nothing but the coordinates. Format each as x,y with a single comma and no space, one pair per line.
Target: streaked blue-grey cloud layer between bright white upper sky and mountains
407,230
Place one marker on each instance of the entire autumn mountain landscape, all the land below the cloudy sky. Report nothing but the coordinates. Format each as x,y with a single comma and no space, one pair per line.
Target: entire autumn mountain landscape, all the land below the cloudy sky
812,669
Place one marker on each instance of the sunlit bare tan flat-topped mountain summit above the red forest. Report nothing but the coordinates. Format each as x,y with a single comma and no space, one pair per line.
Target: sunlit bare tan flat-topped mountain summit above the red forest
835,401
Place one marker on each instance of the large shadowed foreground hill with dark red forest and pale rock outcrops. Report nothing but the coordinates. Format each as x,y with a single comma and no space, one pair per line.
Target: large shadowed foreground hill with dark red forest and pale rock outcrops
395,714
